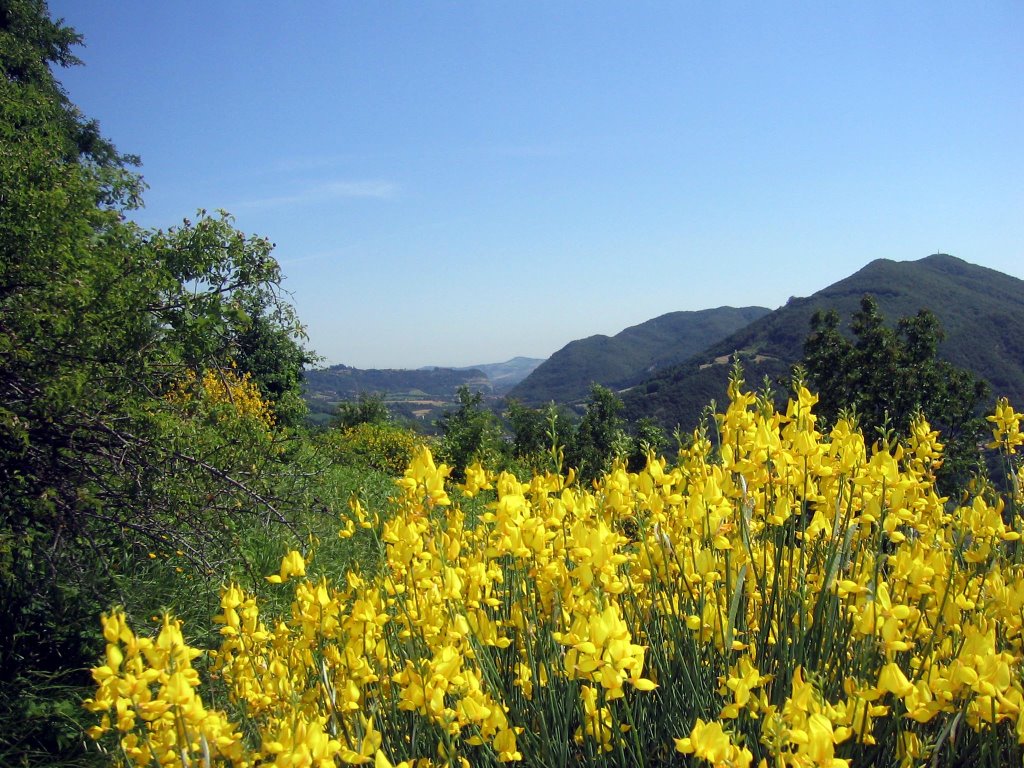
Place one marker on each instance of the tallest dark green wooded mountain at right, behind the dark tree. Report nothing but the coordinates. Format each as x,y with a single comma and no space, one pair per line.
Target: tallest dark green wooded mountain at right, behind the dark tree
982,312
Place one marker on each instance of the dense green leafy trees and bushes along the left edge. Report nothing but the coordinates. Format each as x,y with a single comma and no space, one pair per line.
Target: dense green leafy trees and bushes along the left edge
110,448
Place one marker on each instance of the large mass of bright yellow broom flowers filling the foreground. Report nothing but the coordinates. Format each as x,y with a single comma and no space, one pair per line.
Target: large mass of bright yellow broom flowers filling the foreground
790,599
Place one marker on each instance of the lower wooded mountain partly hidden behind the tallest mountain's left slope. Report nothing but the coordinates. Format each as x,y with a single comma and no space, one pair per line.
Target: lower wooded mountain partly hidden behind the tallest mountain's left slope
629,357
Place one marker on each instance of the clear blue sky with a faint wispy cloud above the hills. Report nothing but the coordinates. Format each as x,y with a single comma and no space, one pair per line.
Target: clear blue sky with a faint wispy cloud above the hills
462,183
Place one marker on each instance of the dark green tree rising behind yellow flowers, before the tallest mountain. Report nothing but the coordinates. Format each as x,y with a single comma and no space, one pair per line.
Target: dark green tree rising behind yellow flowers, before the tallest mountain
889,375
